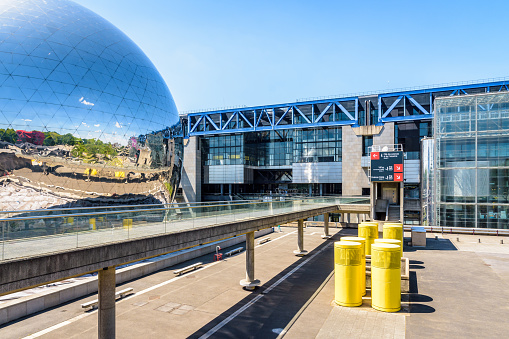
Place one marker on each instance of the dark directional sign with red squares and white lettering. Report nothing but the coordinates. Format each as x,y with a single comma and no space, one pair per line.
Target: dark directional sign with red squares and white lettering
386,166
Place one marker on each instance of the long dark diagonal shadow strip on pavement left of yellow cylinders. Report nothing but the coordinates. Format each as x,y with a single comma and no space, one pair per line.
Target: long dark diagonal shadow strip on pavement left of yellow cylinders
272,311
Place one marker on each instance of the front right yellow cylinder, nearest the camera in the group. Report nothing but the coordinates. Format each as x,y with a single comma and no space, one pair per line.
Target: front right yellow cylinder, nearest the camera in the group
386,277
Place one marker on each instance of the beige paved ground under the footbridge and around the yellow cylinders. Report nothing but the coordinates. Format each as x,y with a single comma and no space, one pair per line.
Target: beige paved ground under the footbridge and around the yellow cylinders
458,290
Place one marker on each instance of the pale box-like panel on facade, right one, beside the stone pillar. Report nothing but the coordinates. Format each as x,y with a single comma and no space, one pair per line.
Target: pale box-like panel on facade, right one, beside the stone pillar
320,172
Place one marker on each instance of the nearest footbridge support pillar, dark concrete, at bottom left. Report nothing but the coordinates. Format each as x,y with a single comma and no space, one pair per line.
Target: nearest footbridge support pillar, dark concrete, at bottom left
106,282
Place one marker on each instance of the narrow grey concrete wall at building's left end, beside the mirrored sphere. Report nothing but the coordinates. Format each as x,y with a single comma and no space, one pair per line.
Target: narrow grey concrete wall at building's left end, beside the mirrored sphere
191,173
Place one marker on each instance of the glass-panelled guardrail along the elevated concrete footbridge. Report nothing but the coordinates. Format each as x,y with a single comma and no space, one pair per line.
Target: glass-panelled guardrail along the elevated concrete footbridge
33,234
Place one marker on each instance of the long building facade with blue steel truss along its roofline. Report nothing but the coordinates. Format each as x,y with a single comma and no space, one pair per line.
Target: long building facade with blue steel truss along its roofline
314,147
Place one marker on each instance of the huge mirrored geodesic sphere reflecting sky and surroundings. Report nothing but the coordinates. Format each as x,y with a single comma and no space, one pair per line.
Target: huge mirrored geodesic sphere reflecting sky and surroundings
85,118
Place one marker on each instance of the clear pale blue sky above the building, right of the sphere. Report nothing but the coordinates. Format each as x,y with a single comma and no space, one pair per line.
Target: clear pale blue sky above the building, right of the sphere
217,53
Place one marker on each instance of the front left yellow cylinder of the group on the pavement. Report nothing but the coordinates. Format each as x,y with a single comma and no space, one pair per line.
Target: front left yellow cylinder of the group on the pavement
347,264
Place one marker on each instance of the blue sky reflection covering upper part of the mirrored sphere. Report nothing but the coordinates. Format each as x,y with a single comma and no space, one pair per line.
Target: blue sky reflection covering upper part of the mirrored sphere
65,69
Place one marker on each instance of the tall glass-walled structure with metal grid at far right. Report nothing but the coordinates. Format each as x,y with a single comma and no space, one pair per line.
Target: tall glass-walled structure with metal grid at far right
472,161
